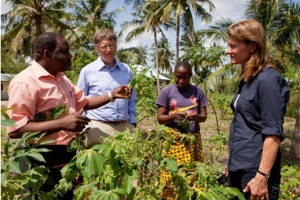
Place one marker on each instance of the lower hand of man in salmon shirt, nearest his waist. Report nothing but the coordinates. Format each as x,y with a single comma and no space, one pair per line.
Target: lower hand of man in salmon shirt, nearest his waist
74,121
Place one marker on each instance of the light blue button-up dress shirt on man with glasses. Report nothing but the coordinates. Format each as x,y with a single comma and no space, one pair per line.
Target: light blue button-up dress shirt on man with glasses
96,79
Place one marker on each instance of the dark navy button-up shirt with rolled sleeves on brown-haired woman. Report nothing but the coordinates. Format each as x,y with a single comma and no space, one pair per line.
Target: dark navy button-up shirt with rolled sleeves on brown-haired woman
259,107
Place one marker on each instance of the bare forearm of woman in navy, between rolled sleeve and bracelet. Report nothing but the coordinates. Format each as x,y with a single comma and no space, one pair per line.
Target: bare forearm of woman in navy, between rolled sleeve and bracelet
270,149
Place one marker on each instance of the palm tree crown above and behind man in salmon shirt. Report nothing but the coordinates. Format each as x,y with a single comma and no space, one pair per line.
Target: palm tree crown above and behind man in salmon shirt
28,19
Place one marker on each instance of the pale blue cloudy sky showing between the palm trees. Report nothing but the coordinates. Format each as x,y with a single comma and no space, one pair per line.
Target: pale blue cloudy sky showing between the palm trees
233,9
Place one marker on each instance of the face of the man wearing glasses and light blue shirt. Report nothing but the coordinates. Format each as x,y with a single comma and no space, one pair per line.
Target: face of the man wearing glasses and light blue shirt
107,50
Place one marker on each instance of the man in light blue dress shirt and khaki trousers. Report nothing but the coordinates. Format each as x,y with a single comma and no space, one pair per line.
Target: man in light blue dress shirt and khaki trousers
102,76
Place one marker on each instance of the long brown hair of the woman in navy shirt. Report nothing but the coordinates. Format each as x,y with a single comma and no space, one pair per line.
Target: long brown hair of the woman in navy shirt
249,31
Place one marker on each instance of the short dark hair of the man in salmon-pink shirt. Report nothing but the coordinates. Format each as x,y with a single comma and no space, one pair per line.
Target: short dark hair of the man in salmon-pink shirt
44,41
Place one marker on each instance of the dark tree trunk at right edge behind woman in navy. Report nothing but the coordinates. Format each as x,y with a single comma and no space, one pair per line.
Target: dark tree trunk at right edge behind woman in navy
295,146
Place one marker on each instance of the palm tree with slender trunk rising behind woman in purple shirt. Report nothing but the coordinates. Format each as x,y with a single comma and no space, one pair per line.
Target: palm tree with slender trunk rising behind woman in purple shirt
182,12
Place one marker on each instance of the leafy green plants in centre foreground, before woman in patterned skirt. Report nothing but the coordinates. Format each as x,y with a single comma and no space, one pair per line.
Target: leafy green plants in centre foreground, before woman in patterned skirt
128,165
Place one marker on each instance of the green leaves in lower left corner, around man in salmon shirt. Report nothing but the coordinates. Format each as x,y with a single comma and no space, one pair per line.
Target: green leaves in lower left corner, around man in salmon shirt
17,183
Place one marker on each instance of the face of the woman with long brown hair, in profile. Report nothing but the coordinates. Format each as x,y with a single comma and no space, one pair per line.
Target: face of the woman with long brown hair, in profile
239,51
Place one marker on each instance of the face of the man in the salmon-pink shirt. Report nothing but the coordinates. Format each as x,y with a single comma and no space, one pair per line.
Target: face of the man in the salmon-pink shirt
61,58
